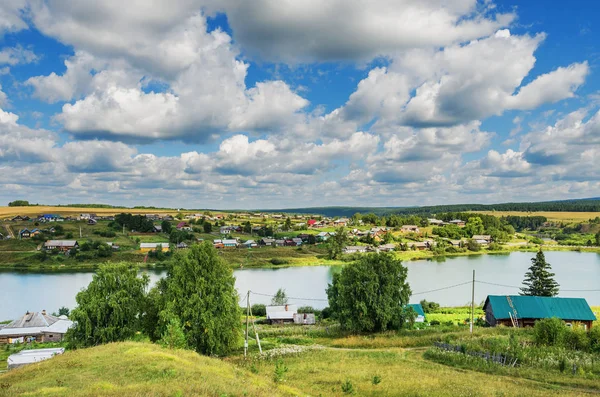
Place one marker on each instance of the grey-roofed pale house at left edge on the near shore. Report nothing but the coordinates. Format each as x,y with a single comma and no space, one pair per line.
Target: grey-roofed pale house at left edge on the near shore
38,326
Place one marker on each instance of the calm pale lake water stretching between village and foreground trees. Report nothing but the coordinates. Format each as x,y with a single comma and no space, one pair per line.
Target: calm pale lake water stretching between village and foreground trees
20,292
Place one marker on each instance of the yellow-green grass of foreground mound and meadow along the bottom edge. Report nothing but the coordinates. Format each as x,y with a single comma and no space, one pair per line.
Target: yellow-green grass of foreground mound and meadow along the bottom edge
143,369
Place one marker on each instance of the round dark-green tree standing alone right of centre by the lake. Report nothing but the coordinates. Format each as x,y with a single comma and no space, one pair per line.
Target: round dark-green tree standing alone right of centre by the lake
370,294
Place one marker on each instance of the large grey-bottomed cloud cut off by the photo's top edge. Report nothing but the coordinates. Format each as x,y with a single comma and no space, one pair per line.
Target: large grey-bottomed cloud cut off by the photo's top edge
309,30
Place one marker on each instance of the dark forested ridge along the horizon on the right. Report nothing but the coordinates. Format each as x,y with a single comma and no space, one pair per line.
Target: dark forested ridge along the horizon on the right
575,205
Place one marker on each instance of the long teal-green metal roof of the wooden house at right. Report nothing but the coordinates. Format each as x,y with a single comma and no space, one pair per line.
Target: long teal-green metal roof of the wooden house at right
540,307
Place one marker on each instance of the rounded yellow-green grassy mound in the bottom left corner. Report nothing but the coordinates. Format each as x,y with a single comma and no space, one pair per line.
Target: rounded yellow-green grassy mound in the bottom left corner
135,369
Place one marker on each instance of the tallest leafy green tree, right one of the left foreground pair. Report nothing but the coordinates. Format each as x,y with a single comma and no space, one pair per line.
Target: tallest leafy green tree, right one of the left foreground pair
200,291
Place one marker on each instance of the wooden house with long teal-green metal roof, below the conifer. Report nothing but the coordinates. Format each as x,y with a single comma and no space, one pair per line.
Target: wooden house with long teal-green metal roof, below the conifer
524,311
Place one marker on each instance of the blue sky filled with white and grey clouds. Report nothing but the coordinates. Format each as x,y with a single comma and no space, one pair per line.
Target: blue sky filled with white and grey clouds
287,103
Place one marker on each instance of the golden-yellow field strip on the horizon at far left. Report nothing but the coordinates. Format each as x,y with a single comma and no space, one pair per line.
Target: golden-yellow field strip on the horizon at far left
9,212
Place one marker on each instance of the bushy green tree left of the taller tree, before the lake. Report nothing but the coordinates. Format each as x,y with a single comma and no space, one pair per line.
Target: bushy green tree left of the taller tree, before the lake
110,308
